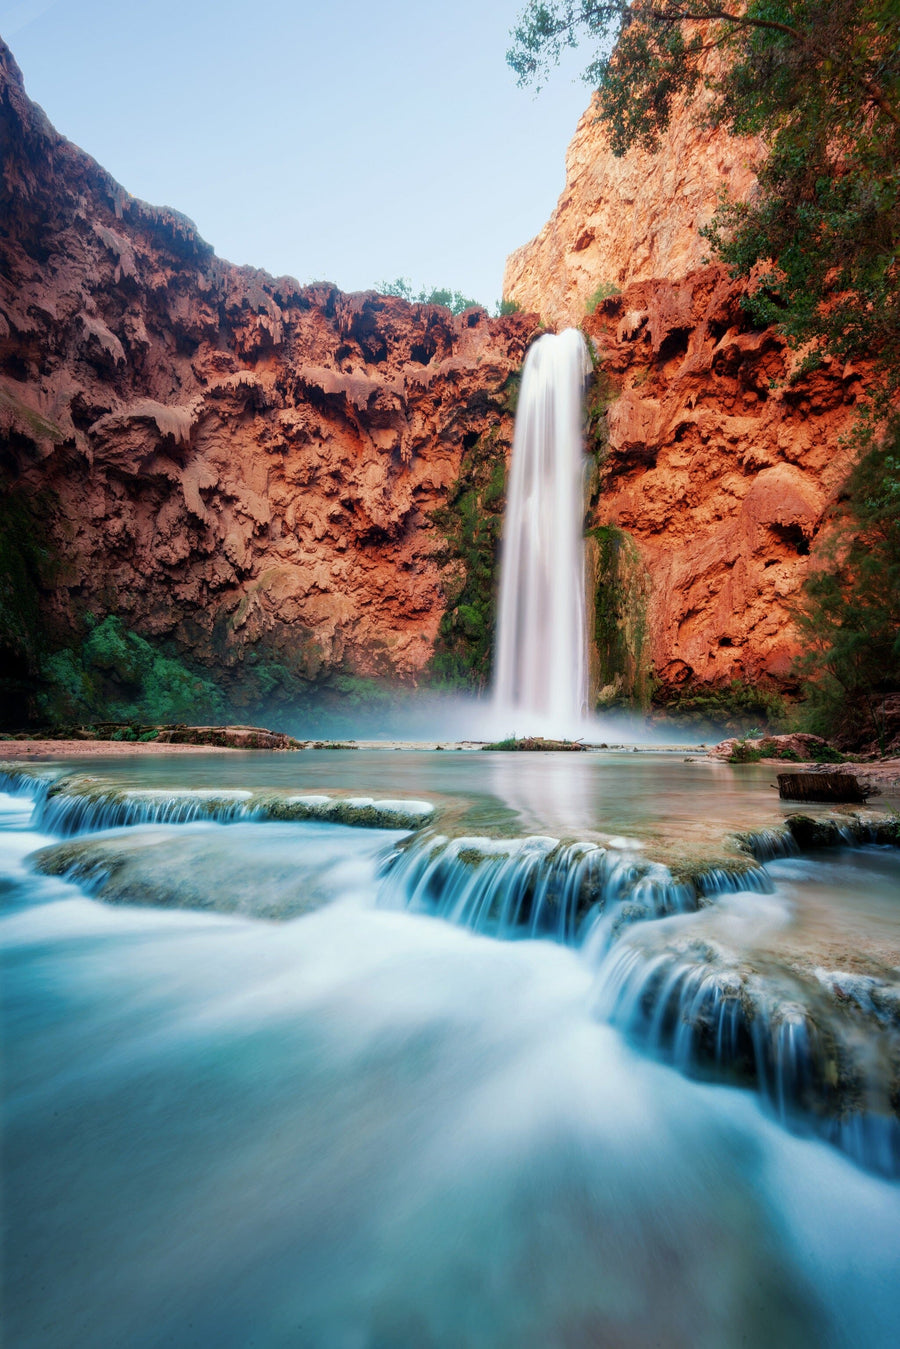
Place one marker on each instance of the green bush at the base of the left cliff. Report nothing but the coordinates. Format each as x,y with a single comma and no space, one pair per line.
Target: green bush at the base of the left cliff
118,677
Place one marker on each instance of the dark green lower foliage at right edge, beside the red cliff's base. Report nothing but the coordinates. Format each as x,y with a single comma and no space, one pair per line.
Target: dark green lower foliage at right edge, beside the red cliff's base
851,614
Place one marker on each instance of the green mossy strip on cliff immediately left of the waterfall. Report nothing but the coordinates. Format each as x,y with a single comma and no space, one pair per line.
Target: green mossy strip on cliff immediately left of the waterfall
472,523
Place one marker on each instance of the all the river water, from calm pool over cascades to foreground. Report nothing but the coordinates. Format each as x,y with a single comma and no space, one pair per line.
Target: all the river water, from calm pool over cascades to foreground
373,1128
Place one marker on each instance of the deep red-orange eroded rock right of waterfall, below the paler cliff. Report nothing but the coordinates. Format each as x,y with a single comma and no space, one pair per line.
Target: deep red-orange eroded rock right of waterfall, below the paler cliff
721,469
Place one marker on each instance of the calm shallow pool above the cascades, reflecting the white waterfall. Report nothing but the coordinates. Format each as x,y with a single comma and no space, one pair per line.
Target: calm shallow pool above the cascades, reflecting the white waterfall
566,793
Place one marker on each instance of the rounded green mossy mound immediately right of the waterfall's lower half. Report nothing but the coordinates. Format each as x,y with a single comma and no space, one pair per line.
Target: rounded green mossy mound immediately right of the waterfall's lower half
621,593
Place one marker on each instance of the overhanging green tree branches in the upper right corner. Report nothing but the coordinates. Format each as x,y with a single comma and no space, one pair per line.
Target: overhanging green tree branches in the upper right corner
821,82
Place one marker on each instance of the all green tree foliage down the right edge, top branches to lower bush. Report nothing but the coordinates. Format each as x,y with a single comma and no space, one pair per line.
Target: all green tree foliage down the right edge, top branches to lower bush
818,243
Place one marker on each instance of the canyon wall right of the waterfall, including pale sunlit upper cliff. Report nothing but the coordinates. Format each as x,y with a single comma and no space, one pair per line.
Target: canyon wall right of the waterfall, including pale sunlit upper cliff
717,462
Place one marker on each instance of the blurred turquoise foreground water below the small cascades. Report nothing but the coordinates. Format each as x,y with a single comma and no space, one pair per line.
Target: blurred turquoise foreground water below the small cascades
373,1130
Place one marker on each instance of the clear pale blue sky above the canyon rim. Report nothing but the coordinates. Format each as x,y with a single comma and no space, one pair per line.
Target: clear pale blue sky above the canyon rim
341,141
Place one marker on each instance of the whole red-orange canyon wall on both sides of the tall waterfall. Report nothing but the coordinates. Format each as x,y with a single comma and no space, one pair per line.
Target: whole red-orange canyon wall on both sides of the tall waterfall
268,478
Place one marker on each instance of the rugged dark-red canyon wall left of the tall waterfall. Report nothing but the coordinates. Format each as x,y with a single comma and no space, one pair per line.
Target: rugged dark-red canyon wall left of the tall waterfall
233,463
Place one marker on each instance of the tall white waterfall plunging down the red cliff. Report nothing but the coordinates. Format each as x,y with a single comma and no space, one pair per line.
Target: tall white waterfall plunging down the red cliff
542,645
